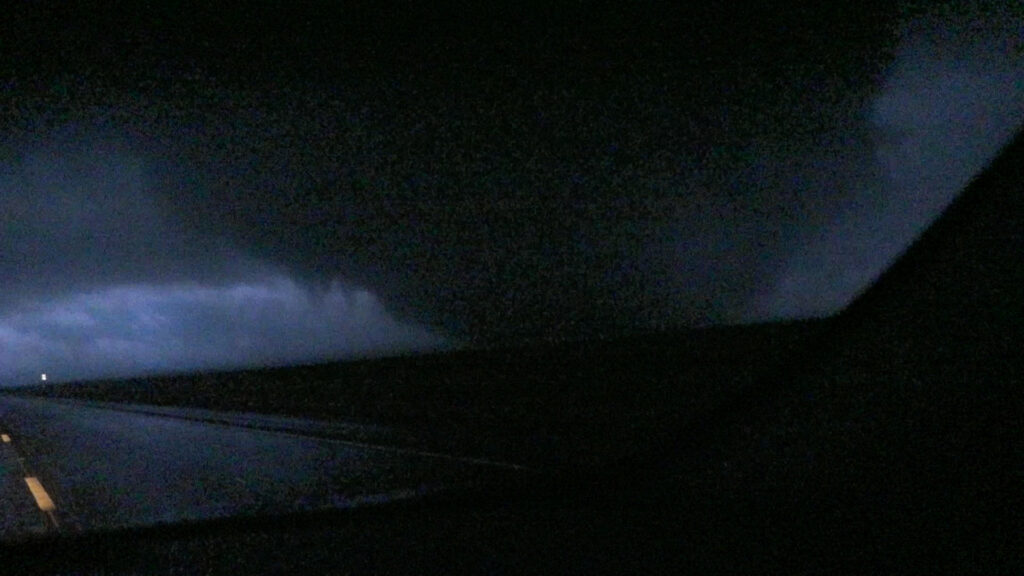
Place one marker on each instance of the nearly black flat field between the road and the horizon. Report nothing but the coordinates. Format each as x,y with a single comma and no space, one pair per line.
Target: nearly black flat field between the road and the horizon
564,404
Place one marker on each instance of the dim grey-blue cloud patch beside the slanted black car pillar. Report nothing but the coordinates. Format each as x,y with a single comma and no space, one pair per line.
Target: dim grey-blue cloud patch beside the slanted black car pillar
954,96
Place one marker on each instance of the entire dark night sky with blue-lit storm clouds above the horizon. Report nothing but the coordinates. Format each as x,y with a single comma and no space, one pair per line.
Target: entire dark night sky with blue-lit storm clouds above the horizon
187,187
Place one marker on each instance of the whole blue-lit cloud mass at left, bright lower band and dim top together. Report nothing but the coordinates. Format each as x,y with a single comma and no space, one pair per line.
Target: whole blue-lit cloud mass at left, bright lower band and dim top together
105,276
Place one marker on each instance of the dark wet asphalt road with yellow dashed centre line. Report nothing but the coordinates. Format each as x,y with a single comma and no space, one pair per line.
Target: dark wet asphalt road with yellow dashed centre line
70,468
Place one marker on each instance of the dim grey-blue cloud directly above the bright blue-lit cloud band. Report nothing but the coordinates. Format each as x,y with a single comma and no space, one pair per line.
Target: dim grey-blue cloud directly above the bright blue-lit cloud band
83,213
